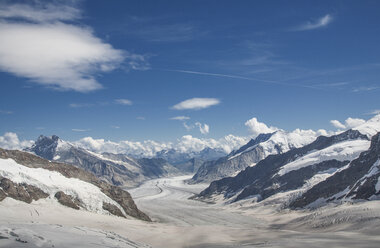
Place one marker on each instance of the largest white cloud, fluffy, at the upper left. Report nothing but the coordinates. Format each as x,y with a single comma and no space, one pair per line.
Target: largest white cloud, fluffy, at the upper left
36,44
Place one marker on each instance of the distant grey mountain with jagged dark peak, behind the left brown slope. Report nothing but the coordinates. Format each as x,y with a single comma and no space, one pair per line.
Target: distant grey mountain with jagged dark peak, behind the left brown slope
117,169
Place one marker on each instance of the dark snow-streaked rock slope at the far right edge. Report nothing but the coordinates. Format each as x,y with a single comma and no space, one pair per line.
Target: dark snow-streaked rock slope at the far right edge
356,182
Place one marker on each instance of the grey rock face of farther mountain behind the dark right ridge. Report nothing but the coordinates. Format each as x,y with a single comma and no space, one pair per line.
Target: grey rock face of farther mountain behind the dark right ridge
231,164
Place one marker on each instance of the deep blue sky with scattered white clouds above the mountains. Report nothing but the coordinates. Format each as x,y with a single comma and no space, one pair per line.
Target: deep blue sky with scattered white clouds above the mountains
119,67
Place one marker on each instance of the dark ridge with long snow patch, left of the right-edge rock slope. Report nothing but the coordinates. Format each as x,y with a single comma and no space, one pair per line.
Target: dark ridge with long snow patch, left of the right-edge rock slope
299,168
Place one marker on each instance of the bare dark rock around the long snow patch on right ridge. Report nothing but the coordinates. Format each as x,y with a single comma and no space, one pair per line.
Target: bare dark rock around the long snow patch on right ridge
263,179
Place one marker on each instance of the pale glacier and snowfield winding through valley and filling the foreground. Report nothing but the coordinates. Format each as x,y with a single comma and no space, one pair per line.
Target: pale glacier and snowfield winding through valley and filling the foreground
180,222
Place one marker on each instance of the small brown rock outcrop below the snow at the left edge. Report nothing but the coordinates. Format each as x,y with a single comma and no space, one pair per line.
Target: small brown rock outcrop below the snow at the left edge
22,192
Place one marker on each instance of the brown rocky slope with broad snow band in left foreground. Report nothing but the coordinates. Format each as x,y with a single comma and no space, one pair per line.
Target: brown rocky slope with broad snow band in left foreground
26,177
